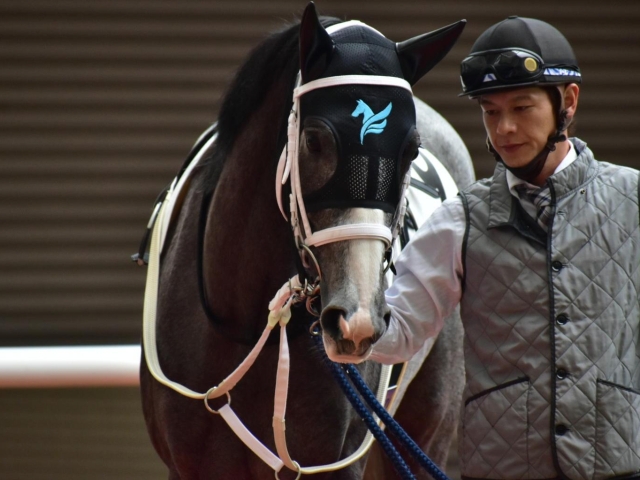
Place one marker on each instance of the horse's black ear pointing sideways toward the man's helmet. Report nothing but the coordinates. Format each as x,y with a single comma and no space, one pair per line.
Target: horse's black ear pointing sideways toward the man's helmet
420,54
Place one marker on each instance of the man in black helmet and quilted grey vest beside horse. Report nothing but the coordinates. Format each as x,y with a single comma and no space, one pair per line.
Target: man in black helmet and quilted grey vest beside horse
543,259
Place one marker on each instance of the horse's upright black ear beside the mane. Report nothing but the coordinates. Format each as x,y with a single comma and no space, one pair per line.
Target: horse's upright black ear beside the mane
316,45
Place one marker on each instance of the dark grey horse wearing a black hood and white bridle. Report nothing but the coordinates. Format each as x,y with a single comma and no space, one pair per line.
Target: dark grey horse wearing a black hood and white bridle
227,250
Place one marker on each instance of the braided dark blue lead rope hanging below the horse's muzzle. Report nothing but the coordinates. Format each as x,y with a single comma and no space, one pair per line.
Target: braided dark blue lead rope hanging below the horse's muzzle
398,462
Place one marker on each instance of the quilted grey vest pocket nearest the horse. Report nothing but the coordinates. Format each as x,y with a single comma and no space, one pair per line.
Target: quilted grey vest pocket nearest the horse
494,432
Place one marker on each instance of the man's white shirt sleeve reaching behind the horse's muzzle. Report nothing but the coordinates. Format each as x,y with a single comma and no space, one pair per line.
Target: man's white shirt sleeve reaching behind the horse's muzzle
428,285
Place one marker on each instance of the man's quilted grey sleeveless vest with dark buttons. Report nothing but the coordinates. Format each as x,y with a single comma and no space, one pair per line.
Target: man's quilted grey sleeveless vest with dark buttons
552,328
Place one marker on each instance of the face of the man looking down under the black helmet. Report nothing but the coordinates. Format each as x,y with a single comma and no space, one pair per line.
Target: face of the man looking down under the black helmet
518,123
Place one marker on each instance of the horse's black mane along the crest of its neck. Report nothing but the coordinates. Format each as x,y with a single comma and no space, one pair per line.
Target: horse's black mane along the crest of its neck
274,58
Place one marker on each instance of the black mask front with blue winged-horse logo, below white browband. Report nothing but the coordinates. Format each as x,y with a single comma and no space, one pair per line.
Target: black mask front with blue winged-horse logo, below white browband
371,125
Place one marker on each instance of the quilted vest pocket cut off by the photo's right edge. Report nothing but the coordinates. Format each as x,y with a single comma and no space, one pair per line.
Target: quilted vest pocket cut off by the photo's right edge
617,430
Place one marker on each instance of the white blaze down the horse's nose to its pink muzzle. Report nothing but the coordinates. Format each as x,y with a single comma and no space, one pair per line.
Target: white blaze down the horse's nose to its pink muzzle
364,262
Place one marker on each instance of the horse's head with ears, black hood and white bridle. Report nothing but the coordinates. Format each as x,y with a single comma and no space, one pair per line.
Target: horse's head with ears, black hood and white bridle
356,138
